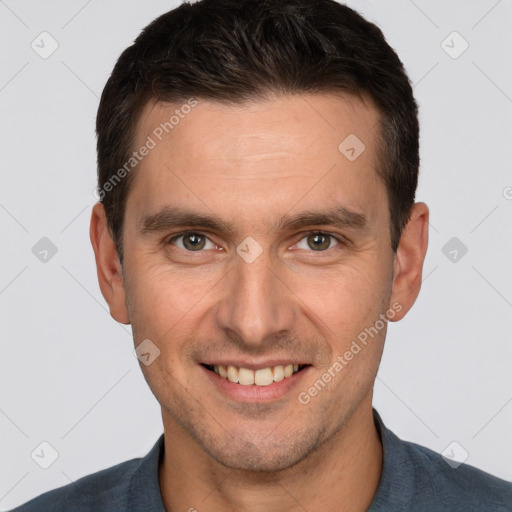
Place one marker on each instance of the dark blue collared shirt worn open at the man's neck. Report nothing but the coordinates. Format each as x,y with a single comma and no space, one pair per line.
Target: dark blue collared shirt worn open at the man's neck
413,479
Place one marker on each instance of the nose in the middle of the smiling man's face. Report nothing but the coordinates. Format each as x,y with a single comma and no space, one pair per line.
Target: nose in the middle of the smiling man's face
257,303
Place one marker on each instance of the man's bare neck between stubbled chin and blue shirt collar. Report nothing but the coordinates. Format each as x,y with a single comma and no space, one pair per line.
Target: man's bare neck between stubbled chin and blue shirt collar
342,474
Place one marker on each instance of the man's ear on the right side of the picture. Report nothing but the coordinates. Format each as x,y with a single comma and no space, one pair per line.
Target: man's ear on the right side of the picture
408,261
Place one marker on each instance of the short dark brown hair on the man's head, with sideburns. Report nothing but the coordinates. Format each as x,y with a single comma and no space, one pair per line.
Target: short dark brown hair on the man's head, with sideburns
232,51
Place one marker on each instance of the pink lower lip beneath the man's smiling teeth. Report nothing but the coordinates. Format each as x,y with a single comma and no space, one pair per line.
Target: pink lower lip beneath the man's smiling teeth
254,393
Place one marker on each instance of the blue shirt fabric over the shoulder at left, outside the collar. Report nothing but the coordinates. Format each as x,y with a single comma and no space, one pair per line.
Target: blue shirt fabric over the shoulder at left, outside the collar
101,491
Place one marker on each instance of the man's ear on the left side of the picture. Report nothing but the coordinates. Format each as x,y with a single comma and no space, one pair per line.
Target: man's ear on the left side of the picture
108,266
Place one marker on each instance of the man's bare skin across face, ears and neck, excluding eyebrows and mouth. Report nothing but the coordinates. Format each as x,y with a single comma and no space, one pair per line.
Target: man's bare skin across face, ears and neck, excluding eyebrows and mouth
250,165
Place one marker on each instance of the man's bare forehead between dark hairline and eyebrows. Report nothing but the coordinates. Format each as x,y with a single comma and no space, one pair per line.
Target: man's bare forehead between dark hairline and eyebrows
259,156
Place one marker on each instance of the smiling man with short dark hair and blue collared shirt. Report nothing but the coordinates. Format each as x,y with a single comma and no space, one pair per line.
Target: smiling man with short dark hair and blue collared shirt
258,161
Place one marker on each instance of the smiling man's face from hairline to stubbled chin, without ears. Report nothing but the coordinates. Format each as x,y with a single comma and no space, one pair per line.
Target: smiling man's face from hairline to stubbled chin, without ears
256,291
